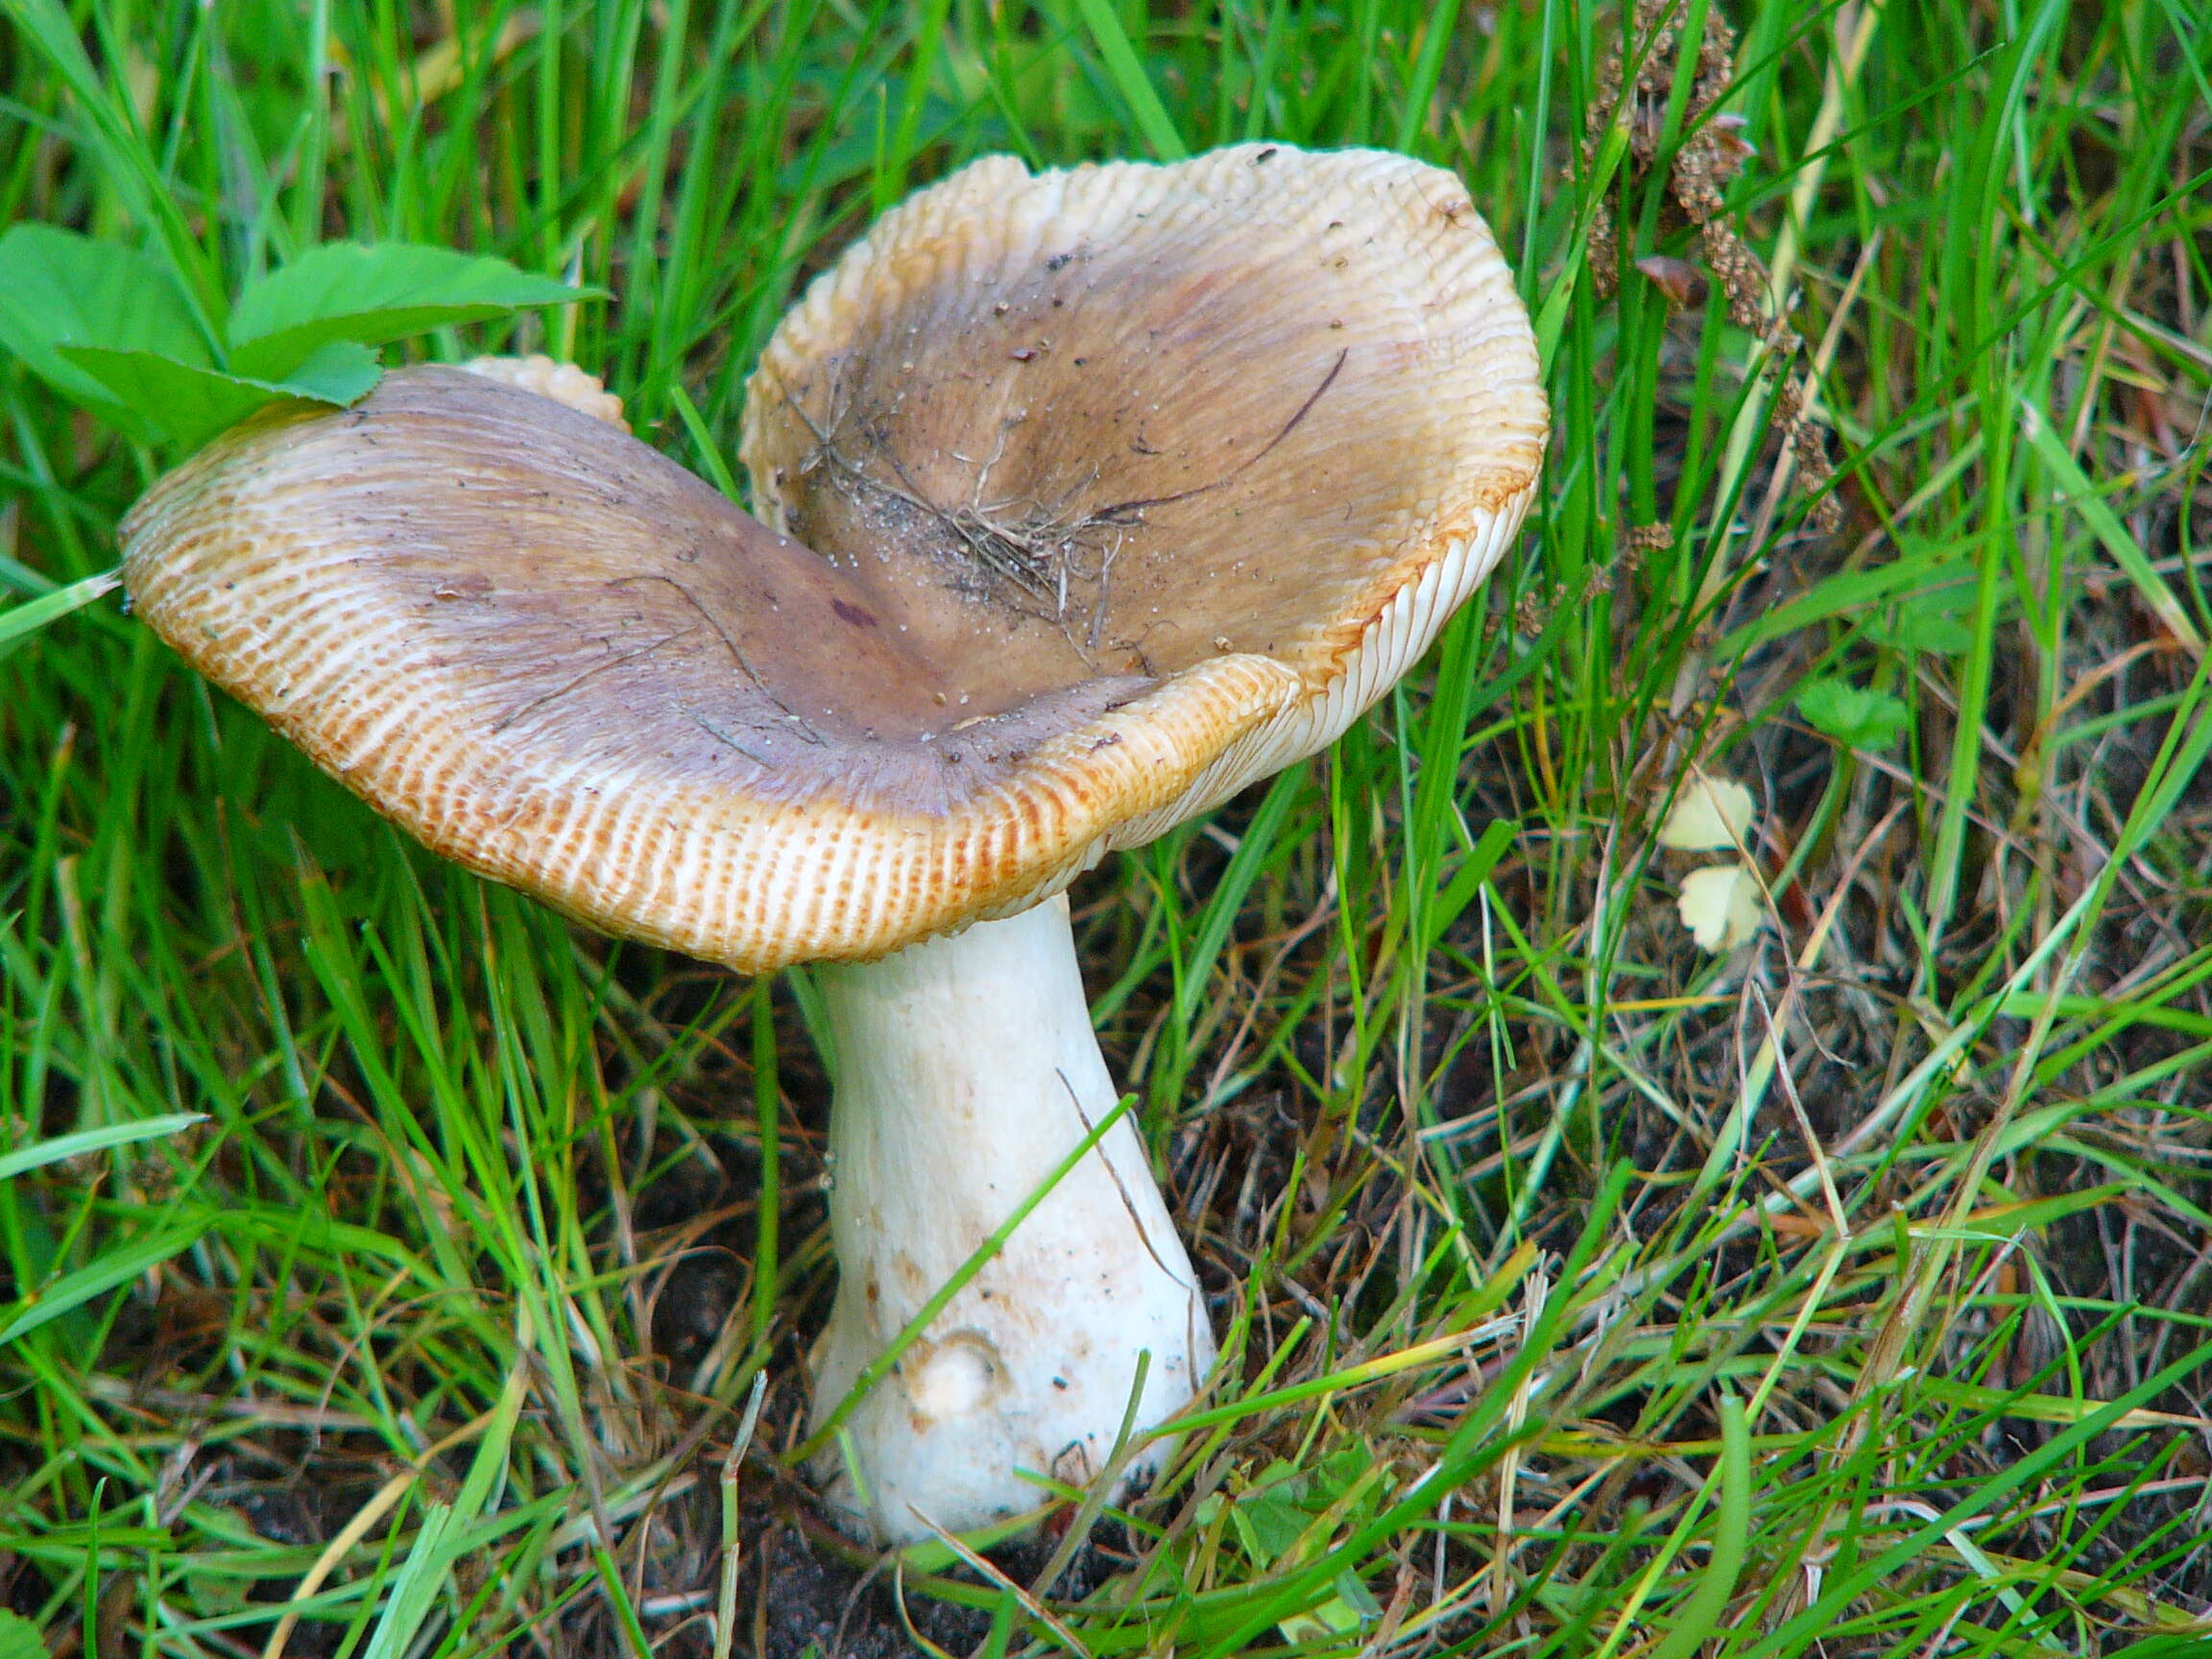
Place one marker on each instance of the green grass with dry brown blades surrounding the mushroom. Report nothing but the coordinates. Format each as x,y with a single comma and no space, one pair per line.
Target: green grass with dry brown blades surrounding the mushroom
1583,1293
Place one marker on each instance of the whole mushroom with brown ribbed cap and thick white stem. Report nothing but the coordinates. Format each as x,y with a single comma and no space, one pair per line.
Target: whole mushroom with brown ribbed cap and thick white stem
1092,497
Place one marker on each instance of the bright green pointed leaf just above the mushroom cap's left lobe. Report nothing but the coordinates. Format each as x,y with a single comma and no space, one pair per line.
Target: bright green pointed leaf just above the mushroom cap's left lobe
375,293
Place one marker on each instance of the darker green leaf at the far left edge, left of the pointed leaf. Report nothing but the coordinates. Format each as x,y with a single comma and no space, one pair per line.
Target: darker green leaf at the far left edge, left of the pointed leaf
61,291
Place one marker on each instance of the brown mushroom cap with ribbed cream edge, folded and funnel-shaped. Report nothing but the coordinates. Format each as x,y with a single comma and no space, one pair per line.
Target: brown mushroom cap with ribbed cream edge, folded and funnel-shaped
1094,497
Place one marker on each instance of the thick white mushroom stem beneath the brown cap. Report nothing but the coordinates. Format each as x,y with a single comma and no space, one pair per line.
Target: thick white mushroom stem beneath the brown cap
968,1074
